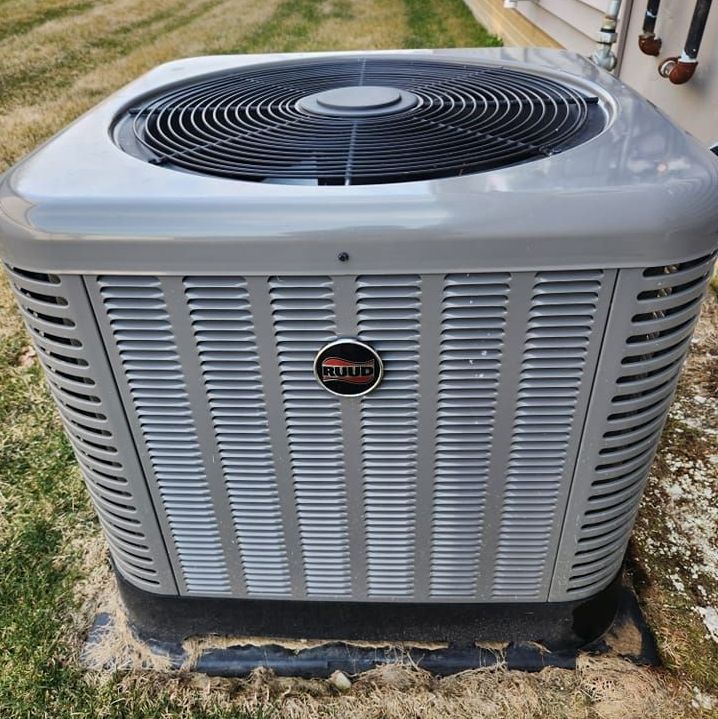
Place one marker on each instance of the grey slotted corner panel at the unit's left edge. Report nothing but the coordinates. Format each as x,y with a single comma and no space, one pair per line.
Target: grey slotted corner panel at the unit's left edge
60,321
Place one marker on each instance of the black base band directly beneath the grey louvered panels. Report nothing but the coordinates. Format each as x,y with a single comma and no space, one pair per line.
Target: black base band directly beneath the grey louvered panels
558,625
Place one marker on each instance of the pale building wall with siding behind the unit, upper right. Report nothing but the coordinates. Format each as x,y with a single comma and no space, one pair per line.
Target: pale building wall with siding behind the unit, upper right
574,24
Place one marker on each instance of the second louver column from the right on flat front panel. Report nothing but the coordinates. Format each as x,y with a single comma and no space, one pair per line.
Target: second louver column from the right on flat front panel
473,323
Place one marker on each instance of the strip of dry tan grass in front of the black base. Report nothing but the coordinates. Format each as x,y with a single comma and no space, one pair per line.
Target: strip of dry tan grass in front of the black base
598,689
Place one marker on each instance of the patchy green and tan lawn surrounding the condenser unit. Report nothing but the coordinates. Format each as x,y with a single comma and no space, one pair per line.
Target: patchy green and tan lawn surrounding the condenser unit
59,58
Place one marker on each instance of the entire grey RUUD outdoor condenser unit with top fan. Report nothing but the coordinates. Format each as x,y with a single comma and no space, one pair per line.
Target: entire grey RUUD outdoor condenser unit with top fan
365,344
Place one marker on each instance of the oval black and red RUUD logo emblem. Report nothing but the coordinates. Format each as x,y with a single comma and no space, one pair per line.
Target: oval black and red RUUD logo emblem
348,368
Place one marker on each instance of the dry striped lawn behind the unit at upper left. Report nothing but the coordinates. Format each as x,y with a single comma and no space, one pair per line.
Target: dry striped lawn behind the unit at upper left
62,67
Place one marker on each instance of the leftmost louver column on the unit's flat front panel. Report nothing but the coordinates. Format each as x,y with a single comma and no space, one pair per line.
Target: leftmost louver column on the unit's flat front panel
144,339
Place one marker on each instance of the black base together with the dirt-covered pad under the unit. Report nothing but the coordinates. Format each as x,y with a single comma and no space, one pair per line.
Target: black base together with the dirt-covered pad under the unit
532,636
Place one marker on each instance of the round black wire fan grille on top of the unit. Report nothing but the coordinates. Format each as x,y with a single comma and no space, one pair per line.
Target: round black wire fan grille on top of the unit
257,124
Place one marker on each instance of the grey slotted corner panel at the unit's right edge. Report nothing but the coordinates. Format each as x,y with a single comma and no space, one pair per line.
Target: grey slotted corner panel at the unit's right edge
649,334
